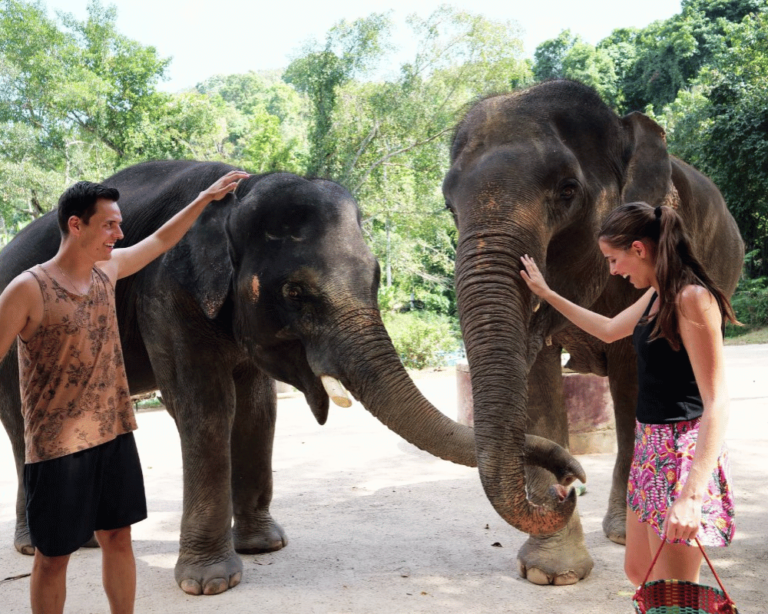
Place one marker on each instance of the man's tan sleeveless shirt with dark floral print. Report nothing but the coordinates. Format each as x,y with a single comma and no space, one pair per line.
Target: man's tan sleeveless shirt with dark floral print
74,389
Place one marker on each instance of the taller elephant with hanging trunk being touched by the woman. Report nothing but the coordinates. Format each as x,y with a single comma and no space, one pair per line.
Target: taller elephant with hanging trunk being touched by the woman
535,171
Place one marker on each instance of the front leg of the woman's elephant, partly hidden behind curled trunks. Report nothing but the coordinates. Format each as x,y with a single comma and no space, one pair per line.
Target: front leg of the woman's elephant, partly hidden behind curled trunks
561,558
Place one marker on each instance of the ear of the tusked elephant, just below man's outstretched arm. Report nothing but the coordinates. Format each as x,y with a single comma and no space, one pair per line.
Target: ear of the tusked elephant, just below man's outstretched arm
201,262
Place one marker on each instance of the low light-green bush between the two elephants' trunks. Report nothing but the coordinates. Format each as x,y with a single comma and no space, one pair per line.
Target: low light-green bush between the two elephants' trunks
422,338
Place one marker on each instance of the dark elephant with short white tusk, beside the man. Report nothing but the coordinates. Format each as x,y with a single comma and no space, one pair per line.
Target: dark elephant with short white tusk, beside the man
274,282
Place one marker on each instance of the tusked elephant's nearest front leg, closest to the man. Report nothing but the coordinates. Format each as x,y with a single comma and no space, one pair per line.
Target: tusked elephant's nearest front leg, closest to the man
201,398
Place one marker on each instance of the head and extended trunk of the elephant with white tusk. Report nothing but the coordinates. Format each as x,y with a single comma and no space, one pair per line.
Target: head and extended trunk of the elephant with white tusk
286,267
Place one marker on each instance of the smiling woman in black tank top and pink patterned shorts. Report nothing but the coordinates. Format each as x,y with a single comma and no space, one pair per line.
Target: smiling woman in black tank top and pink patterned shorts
678,486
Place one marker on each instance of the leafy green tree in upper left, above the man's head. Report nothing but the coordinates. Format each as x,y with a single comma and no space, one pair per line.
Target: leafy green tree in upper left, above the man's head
78,100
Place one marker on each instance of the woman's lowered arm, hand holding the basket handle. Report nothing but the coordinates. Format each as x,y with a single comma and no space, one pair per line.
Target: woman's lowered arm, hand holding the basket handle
700,322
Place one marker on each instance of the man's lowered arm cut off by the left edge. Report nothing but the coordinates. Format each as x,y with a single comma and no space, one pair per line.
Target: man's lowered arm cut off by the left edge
20,303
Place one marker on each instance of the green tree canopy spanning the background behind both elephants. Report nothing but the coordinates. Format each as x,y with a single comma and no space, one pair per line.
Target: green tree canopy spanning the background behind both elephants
79,100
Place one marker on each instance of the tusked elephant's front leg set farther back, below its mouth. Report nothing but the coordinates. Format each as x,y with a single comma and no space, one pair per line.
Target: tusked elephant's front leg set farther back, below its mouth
253,436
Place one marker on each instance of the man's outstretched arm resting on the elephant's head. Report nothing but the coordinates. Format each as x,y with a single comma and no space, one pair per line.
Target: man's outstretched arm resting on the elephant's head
129,260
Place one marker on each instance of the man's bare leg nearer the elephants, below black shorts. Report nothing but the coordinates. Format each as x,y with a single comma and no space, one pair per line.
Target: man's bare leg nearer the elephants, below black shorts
118,569
